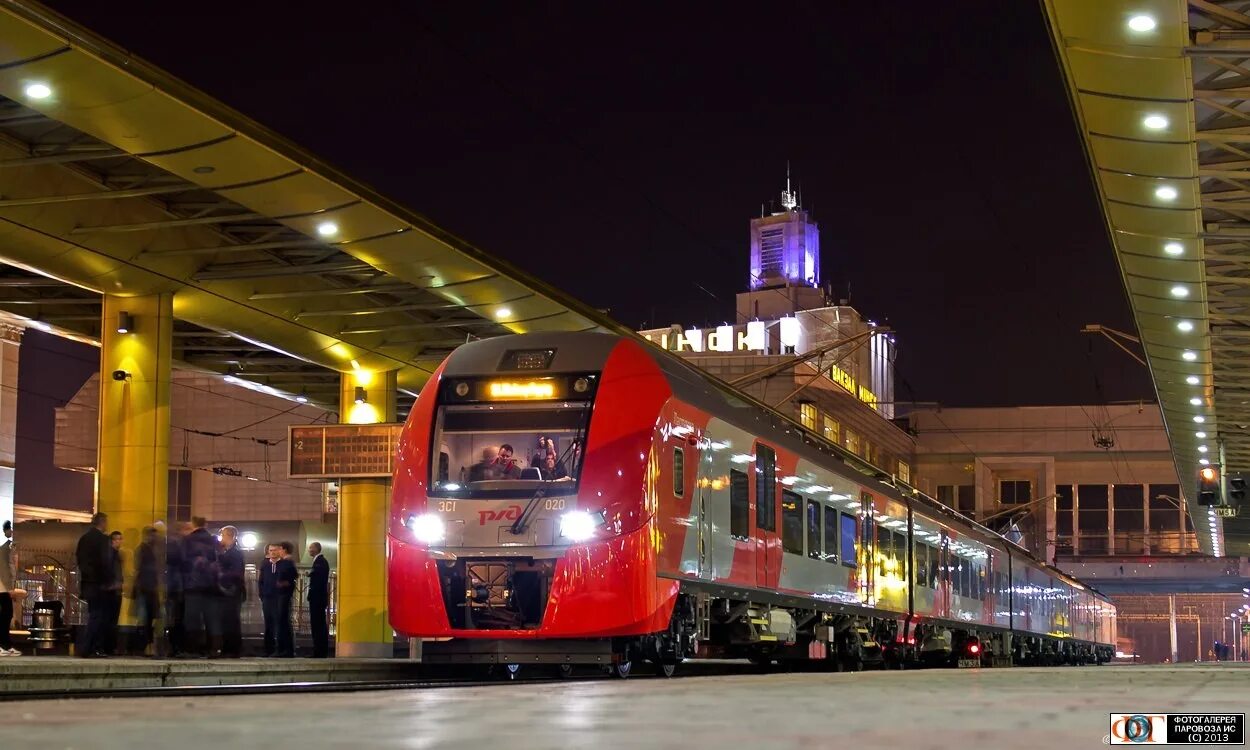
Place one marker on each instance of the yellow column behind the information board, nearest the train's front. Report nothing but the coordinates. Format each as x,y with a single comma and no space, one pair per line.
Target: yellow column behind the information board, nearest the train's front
364,508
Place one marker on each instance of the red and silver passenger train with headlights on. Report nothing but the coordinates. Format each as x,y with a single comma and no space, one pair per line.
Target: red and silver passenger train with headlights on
592,499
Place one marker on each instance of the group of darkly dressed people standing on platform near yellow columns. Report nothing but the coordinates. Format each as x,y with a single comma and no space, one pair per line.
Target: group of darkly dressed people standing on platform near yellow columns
204,592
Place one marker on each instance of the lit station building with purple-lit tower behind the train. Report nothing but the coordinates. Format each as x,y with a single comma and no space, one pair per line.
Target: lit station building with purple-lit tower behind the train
794,349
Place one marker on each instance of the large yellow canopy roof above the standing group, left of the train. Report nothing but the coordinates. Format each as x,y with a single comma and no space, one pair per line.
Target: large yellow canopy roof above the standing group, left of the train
119,179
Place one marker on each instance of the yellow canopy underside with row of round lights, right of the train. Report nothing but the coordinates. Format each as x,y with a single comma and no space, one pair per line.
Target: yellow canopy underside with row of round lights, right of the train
1162,96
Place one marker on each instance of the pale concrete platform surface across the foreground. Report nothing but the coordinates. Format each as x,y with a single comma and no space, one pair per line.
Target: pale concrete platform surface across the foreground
1053,709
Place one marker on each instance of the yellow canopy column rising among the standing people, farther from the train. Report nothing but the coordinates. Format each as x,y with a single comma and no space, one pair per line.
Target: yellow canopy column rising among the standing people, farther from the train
133,466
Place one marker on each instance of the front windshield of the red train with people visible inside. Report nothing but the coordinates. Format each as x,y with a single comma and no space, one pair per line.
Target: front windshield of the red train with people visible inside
508,449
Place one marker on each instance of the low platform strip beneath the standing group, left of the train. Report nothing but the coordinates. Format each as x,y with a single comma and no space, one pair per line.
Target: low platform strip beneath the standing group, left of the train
21,674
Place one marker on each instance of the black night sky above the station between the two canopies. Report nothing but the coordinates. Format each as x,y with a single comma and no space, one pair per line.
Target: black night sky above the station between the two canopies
621,152
